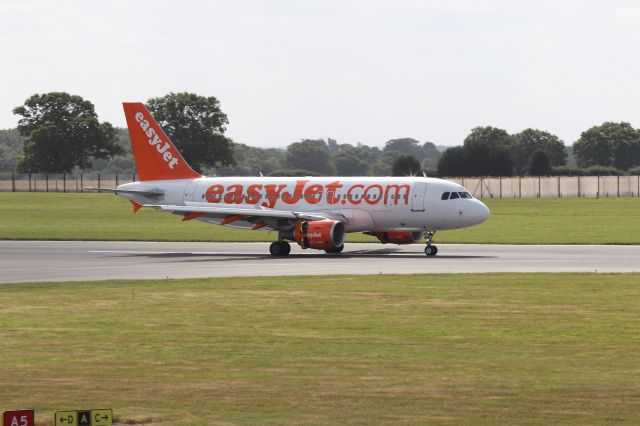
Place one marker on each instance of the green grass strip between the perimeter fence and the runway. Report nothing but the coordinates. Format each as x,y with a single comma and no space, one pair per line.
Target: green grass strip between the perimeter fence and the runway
519,221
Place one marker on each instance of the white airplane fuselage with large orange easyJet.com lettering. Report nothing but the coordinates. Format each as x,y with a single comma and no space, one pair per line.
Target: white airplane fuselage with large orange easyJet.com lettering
369,204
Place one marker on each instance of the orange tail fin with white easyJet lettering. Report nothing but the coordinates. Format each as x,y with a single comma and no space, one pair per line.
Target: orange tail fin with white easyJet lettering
156,157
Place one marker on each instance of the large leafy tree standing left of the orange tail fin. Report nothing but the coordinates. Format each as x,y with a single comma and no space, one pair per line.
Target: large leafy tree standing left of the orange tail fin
62,132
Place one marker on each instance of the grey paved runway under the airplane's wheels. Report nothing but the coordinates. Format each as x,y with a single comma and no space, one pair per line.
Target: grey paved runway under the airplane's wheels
25,261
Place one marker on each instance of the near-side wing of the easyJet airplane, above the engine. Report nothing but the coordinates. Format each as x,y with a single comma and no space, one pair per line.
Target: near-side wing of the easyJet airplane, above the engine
230,214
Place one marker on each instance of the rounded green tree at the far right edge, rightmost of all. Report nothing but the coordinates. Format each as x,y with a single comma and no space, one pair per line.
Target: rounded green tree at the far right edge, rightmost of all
610,144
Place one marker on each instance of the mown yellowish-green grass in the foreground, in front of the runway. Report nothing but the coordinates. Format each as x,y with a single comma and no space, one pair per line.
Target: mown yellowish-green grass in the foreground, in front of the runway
424,349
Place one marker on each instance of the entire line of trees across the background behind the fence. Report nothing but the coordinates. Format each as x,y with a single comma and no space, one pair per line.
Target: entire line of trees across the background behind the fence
61,133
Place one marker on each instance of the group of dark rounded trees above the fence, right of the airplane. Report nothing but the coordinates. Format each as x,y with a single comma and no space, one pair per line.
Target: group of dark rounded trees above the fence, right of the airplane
610,148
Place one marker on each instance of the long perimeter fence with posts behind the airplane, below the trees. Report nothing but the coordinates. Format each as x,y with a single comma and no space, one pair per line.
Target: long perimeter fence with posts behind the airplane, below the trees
482,187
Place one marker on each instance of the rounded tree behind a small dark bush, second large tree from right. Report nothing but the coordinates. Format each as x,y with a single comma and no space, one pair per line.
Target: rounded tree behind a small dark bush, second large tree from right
531,140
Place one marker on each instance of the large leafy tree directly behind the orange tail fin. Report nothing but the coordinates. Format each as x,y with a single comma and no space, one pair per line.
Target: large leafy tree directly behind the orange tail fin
196,126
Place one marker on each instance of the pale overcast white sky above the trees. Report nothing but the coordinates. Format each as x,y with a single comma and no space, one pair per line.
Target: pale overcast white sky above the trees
352,70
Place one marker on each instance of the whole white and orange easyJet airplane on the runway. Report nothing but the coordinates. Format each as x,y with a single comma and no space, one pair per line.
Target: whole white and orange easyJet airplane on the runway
314,212
